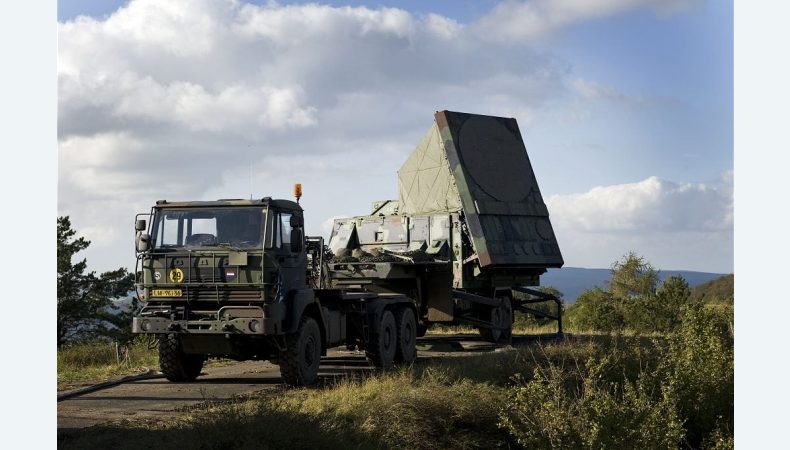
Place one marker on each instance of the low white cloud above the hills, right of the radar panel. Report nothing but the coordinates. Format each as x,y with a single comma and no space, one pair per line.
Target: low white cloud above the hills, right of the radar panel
675,225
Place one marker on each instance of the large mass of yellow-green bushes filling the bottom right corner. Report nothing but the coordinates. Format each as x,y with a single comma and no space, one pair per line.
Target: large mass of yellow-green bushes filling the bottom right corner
634,392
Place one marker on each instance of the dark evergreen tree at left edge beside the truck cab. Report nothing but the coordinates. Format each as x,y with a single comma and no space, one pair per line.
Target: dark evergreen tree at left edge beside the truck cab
84,299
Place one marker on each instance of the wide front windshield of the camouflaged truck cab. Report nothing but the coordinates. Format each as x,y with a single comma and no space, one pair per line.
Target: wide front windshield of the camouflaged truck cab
234,228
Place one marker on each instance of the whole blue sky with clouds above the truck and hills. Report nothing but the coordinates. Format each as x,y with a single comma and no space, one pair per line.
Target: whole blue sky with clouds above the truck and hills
625,106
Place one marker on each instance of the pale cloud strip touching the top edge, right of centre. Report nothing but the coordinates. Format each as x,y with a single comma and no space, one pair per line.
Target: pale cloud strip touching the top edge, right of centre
517,20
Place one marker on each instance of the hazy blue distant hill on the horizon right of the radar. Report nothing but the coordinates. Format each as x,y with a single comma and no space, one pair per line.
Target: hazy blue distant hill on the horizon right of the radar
572,281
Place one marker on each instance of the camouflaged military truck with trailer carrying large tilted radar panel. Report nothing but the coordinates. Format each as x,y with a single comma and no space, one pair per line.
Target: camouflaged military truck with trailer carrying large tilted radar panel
465,242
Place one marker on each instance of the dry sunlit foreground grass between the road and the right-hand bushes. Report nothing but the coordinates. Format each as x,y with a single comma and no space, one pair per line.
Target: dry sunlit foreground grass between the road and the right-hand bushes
447,403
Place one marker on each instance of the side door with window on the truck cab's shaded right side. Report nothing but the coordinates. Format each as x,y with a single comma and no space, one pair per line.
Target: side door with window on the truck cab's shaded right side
289,245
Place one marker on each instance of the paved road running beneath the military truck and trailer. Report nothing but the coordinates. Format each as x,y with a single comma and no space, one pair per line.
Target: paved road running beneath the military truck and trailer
148,398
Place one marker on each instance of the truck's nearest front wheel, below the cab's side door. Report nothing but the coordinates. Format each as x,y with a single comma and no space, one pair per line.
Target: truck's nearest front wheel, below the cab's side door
302,355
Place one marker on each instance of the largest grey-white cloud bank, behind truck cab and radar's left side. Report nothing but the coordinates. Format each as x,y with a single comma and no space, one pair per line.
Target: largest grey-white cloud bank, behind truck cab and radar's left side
214,99
